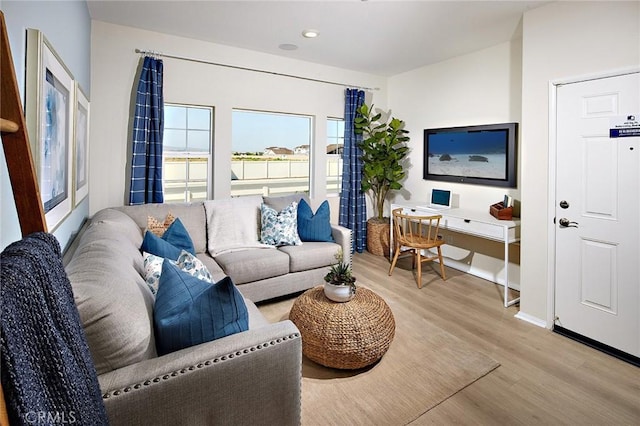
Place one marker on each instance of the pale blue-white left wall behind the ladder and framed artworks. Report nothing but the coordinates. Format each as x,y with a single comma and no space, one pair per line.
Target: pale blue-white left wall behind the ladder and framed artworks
67,26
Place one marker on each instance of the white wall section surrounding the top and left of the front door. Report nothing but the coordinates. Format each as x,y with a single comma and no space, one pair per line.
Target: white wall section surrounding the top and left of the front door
561,40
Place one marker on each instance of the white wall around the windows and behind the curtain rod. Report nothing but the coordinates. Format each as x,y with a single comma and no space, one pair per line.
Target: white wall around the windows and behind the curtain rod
114,65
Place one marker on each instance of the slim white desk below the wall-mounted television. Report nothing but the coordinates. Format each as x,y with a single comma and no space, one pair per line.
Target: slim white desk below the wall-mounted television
472,222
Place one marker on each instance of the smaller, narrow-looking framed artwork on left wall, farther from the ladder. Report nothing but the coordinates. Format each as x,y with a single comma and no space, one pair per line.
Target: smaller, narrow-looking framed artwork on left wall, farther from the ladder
81,147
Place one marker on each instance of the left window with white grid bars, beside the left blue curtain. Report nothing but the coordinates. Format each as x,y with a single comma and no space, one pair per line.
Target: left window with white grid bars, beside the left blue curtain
186,168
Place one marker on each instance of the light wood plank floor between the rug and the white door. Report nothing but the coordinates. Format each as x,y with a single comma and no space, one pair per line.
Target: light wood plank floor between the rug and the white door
543,379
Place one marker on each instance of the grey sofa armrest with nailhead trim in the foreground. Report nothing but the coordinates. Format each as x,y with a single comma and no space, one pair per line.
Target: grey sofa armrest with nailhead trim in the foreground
253,377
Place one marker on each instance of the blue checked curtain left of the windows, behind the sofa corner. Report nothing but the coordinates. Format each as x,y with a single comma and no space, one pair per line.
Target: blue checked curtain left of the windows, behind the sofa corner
148,125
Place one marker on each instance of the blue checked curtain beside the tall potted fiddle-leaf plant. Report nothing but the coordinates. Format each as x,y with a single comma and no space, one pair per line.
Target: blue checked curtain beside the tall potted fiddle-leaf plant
353,208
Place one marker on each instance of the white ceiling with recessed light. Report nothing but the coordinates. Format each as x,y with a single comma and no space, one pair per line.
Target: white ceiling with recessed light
378,37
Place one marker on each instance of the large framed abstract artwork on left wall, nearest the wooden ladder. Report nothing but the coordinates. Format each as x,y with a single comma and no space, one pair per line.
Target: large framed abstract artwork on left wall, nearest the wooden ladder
50,107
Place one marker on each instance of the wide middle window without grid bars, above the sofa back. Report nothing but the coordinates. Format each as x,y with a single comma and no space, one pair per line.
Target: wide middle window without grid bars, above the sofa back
270,153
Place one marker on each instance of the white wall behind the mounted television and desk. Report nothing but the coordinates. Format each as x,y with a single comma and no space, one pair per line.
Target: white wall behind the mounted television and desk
480,88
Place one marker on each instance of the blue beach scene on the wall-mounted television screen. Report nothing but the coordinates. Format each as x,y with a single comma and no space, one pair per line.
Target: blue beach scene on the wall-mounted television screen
477,154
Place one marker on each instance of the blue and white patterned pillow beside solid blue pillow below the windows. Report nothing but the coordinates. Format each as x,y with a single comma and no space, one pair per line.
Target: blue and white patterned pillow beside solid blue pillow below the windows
280,228
